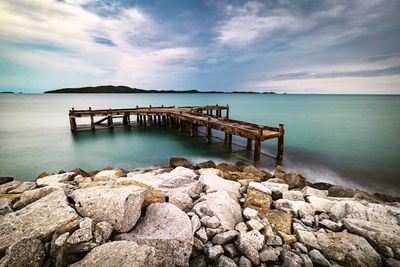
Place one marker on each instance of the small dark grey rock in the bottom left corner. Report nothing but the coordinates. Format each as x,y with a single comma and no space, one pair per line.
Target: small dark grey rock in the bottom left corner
24,253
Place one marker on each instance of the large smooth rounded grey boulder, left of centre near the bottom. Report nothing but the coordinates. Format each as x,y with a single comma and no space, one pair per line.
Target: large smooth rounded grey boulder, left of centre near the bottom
168,230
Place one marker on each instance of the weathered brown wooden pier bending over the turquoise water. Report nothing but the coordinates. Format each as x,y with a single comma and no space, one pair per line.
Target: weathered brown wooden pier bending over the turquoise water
211,117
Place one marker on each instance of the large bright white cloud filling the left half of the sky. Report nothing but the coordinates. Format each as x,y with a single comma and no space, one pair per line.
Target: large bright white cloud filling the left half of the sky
71,30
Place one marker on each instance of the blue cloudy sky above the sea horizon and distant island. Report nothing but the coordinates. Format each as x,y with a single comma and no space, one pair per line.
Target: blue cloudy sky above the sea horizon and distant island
345,47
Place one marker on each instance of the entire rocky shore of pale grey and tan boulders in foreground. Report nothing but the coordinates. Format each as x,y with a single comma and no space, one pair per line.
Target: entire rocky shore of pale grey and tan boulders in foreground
202,215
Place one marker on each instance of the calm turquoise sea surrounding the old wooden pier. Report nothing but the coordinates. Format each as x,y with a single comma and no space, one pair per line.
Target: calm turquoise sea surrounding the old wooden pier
344,139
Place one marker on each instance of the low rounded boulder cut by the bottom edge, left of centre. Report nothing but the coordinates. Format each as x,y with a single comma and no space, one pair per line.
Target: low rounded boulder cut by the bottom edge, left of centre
119,254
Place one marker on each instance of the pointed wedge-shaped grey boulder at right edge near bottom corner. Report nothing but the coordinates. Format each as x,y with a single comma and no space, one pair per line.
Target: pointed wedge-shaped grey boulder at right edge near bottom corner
376,233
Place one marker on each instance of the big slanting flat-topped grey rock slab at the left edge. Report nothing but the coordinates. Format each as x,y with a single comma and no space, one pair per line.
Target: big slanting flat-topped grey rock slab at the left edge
38,220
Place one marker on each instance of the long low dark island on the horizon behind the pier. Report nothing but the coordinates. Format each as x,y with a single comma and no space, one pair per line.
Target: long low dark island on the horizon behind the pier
106,89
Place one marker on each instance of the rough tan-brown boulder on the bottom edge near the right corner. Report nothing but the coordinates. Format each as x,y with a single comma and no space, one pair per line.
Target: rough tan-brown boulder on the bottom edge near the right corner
346,249
